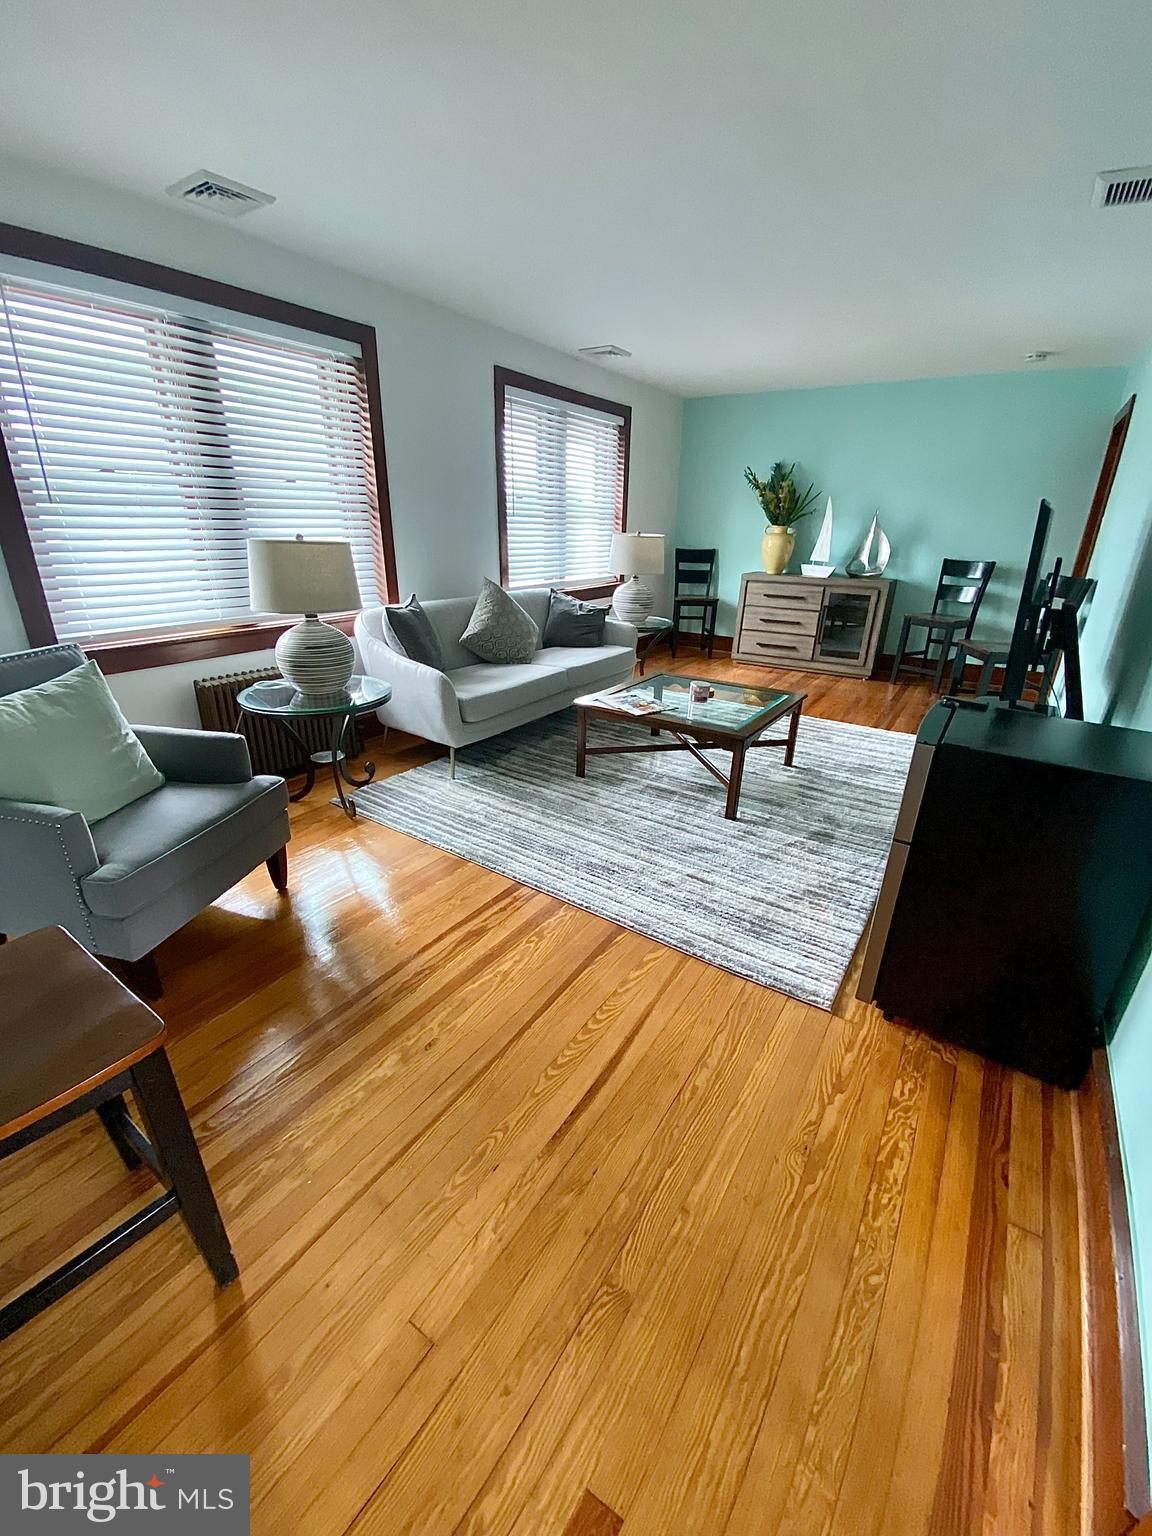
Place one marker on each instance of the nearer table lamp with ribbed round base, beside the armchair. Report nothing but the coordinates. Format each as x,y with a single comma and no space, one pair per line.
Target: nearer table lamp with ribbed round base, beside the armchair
308,577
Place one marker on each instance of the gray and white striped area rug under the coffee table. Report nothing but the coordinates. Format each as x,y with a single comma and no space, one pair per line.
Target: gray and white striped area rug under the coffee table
781,896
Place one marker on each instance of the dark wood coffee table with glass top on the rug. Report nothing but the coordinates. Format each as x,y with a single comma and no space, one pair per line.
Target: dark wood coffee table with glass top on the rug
732,720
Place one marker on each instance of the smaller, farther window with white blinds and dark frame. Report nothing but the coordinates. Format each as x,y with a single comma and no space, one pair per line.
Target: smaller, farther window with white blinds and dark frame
561,483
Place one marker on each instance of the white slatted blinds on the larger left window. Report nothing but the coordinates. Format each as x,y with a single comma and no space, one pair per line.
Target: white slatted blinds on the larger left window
150,446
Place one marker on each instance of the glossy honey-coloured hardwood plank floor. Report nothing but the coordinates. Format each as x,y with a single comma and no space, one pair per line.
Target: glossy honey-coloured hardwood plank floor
548,1230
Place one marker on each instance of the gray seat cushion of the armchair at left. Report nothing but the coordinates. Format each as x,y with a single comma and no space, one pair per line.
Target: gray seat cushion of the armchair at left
156,842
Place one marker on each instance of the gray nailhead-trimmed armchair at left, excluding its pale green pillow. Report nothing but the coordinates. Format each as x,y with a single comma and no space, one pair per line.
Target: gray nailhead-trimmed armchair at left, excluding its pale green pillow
124,884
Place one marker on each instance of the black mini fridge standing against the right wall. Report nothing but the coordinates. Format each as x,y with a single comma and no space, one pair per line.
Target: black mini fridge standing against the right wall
1019,884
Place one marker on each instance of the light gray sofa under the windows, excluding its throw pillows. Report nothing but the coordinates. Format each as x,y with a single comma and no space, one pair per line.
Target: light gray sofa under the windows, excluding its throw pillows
471,700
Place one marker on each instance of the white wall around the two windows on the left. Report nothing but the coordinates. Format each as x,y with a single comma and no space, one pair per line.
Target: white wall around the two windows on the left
435,380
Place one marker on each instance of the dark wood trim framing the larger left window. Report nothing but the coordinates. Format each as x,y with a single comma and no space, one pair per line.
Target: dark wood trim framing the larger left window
16,546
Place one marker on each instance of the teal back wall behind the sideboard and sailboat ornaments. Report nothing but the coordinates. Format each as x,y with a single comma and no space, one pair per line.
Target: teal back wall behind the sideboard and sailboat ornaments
956,468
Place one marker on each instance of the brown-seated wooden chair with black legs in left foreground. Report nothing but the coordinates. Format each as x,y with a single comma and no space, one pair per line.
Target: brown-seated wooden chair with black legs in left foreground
76,1041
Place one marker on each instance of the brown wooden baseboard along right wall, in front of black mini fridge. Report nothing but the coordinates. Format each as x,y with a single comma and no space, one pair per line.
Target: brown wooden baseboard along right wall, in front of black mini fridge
1117,1491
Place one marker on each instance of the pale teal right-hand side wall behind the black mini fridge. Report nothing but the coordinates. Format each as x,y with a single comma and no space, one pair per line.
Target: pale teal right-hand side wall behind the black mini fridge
1117,649
